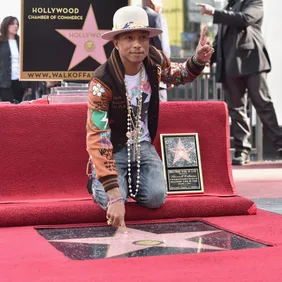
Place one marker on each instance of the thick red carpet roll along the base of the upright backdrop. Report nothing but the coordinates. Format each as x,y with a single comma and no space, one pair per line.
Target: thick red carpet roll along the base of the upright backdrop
85,211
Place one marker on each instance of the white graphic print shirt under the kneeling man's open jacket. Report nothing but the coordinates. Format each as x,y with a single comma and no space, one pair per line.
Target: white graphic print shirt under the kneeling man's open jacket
133,86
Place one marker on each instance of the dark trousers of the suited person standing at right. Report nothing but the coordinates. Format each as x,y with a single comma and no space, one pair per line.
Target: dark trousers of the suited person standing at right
237,100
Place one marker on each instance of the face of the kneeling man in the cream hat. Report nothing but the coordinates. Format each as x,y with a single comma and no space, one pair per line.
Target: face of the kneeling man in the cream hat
133,46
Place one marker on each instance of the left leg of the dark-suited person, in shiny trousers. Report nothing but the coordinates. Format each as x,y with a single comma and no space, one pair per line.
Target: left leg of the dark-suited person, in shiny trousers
237,100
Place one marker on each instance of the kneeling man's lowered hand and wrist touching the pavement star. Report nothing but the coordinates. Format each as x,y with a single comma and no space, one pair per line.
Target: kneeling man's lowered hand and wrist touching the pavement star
116,211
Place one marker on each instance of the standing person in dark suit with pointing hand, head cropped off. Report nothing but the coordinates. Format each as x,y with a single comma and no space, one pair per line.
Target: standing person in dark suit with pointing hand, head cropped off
242,64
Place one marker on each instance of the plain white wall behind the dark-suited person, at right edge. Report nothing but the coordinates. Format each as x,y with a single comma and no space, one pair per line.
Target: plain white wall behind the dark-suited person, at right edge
271,32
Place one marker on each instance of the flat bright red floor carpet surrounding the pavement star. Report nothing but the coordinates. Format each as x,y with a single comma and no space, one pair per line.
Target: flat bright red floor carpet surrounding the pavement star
25,256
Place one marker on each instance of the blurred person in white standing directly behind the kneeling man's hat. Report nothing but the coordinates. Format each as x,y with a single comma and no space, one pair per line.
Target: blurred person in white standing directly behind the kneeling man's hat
154,9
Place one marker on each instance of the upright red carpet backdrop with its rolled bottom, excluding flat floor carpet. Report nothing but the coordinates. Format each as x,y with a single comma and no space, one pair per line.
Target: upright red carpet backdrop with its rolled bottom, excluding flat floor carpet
43,162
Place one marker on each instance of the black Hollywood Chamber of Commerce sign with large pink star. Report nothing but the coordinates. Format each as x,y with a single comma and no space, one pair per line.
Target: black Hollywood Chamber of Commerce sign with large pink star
61,40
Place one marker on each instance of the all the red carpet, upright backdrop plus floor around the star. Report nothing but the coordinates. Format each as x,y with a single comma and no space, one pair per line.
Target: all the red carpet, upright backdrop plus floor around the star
43,182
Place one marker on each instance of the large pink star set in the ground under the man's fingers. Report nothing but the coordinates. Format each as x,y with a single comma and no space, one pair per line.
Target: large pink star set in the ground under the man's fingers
135,240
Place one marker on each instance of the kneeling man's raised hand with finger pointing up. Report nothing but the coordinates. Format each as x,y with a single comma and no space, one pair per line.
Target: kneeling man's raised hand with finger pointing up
204,49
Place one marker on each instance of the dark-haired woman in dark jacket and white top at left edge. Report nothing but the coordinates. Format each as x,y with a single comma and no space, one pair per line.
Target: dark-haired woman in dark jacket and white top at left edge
11,89
